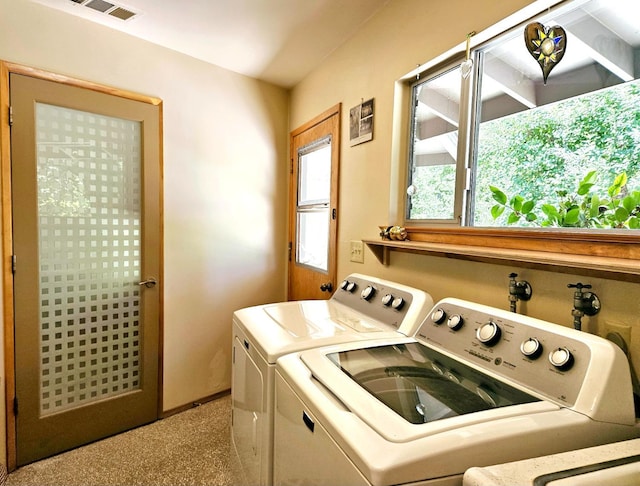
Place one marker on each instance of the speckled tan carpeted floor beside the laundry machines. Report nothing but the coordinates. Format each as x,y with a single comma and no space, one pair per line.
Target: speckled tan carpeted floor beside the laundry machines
190,448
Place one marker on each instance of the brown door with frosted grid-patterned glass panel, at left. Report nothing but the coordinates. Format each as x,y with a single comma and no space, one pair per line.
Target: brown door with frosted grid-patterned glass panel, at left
87,233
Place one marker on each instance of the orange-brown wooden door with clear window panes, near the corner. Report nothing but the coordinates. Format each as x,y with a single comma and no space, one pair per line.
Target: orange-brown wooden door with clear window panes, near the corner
313,207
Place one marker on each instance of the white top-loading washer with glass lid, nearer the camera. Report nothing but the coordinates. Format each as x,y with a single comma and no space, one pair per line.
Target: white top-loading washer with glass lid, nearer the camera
475,386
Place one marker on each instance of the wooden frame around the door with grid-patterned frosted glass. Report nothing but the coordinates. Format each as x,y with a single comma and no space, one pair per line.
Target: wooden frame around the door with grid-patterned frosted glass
7,68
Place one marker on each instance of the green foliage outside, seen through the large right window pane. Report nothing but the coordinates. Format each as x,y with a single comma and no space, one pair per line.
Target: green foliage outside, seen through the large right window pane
579,152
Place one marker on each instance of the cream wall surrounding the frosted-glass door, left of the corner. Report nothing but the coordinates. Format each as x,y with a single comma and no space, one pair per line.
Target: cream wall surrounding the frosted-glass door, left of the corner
225,180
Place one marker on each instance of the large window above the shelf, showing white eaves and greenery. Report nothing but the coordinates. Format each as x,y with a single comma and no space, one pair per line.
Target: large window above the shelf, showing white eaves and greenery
555,155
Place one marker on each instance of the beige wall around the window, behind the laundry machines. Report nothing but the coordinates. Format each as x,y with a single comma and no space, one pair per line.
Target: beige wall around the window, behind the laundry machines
404,34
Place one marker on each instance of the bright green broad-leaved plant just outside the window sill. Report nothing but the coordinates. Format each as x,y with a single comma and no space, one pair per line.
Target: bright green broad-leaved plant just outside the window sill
584,208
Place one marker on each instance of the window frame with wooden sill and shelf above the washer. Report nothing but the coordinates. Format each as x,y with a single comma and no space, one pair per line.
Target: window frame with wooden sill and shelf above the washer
605,253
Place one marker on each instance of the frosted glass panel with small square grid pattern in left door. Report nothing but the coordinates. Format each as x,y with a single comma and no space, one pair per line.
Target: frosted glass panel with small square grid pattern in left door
89,213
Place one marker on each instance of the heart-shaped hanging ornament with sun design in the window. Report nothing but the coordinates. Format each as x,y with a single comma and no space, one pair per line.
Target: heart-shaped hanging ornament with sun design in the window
547,45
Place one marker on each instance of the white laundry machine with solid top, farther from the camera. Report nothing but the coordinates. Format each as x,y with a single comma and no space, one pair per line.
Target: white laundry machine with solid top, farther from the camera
363,307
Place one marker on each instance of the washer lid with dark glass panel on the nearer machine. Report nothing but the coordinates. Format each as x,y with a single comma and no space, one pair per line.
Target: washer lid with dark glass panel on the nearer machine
405,390
